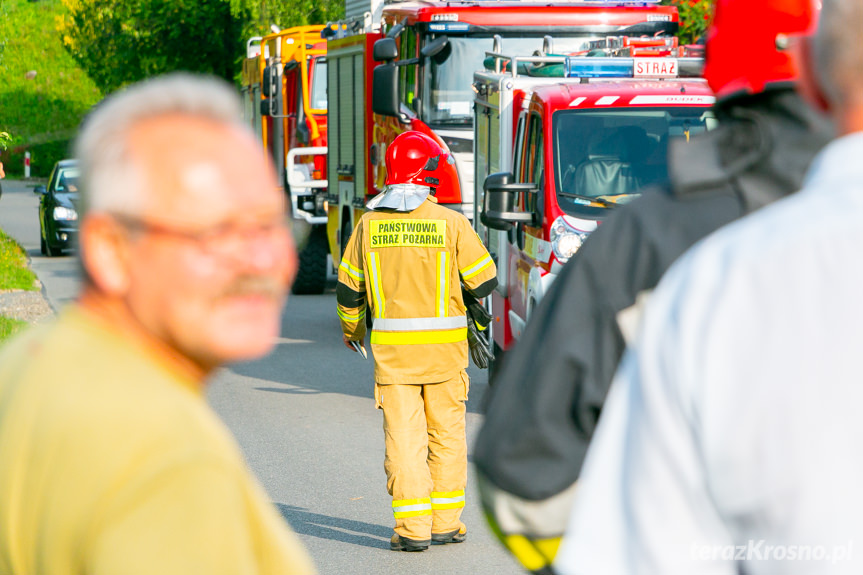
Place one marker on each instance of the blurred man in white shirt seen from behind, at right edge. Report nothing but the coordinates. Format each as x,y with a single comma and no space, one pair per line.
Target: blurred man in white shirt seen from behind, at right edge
731,438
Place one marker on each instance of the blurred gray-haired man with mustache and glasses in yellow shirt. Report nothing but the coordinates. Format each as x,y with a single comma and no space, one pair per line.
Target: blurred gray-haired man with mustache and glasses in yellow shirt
110,459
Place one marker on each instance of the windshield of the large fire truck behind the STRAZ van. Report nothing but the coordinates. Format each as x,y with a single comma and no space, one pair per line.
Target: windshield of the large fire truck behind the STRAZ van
448,94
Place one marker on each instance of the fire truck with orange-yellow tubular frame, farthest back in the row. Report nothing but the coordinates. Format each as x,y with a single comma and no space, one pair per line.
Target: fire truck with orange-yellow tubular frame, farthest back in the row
284,85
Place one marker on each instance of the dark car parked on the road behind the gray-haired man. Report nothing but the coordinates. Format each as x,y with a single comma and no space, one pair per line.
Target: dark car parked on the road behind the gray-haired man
58,212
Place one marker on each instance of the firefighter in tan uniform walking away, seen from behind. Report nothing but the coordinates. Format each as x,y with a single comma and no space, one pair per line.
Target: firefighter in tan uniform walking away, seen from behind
403,273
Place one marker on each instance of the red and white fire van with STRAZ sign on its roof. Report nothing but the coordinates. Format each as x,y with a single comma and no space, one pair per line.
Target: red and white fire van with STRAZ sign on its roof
561,141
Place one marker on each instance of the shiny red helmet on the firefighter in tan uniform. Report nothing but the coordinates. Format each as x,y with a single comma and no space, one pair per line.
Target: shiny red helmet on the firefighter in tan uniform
414,158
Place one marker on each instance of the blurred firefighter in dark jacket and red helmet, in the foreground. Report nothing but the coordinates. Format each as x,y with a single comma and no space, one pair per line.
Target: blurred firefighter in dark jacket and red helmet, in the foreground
546,401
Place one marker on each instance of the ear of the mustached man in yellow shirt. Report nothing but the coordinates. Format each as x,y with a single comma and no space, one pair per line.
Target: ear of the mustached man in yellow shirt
104,246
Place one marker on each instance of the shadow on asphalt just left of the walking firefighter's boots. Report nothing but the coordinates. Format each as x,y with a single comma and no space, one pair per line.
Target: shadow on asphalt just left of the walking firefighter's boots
336,528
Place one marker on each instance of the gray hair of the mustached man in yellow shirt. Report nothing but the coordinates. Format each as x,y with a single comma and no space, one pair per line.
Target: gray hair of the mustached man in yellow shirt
109,181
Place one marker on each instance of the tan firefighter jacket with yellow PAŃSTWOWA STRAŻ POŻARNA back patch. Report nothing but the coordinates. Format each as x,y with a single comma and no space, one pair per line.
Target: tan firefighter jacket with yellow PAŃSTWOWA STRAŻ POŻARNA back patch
408,268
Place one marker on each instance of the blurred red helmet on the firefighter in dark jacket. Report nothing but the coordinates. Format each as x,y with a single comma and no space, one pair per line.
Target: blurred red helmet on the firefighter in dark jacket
747,43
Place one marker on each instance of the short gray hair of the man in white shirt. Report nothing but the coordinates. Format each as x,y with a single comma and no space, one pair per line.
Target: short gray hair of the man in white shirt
838,50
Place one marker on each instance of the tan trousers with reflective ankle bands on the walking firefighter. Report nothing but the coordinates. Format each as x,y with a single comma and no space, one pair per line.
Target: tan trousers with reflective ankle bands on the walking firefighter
426,454
